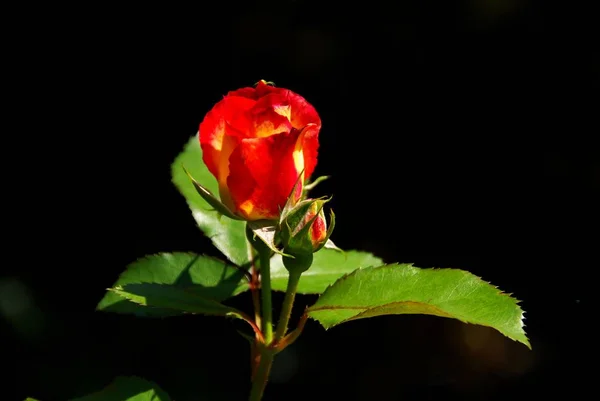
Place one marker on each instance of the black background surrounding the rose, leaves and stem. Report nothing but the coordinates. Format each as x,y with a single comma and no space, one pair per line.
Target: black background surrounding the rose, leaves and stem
457,134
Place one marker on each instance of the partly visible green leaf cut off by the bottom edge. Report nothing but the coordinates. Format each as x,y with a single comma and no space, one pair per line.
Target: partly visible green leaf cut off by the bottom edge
127,389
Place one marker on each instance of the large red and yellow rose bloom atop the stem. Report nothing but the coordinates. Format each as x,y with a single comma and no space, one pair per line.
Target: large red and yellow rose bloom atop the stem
256,142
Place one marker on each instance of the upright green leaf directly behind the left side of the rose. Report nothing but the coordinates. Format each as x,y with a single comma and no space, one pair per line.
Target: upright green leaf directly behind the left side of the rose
228,235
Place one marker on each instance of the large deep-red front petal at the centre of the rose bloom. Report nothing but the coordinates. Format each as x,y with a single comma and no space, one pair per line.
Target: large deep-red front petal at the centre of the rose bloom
263,173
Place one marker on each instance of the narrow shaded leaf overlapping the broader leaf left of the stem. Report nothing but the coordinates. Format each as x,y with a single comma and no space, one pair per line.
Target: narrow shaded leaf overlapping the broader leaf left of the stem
178,299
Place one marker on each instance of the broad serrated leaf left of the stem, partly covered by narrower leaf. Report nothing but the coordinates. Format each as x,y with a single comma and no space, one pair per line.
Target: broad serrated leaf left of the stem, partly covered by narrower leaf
211,278
